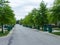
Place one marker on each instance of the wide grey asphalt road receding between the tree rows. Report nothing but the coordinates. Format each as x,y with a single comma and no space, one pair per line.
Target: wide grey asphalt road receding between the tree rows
26,36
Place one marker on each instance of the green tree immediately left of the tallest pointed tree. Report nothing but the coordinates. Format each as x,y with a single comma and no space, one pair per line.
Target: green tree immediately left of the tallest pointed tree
37,19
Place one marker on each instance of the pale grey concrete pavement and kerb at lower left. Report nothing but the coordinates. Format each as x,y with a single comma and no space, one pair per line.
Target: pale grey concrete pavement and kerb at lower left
5,39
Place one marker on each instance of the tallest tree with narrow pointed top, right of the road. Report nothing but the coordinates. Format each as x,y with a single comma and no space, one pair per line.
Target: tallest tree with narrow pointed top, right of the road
43,13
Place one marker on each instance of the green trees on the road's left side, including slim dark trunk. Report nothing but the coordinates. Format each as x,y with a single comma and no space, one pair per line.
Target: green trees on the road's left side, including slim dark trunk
6,14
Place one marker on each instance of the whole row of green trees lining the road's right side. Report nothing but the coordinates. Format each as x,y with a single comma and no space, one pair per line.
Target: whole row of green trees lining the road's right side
39,17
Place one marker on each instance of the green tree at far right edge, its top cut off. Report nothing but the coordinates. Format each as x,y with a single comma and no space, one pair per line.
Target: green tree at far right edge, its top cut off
56,12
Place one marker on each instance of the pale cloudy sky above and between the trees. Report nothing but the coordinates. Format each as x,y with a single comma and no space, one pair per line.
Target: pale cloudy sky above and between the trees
22,7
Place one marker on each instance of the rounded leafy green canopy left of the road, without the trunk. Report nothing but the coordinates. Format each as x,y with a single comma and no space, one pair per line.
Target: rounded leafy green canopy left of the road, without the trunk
6,15
